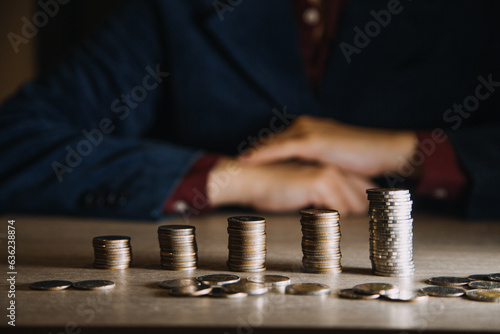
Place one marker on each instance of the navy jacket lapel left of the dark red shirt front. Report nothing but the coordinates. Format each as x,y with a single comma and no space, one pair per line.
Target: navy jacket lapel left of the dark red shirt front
260,38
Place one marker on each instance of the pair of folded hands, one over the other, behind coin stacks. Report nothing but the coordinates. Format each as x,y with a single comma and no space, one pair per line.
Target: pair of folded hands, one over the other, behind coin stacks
315,162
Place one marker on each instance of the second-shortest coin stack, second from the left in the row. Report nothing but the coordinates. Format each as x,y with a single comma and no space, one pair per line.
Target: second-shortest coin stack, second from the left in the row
178,249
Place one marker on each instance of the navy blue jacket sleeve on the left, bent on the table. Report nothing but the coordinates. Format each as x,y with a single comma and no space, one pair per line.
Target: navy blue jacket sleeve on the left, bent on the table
71,140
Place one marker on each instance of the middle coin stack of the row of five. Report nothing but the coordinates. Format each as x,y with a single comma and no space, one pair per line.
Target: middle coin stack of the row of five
247,243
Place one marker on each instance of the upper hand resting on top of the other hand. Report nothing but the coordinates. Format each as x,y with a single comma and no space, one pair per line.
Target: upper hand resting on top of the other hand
364,151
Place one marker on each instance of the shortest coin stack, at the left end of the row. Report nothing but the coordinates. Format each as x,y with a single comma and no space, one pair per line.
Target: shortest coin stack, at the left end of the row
112,252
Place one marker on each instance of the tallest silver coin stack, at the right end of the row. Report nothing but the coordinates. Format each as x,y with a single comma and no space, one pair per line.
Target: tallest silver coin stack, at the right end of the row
391,232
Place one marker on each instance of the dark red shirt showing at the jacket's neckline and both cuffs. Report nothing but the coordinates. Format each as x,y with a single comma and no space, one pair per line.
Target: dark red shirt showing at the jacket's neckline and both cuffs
441,175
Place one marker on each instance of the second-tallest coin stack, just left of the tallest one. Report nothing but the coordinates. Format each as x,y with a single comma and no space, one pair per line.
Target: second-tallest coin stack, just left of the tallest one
321,241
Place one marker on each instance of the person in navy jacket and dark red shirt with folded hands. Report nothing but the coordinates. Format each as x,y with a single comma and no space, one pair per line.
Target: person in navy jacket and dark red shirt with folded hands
183,106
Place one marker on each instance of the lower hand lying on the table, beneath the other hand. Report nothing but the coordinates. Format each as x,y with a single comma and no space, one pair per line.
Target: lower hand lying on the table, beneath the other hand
287,187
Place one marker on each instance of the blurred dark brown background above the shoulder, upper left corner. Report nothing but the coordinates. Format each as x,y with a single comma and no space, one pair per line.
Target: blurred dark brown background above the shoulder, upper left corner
74,21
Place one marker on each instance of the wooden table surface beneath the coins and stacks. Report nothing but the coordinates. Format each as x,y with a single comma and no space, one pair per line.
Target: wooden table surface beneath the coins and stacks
61,248
